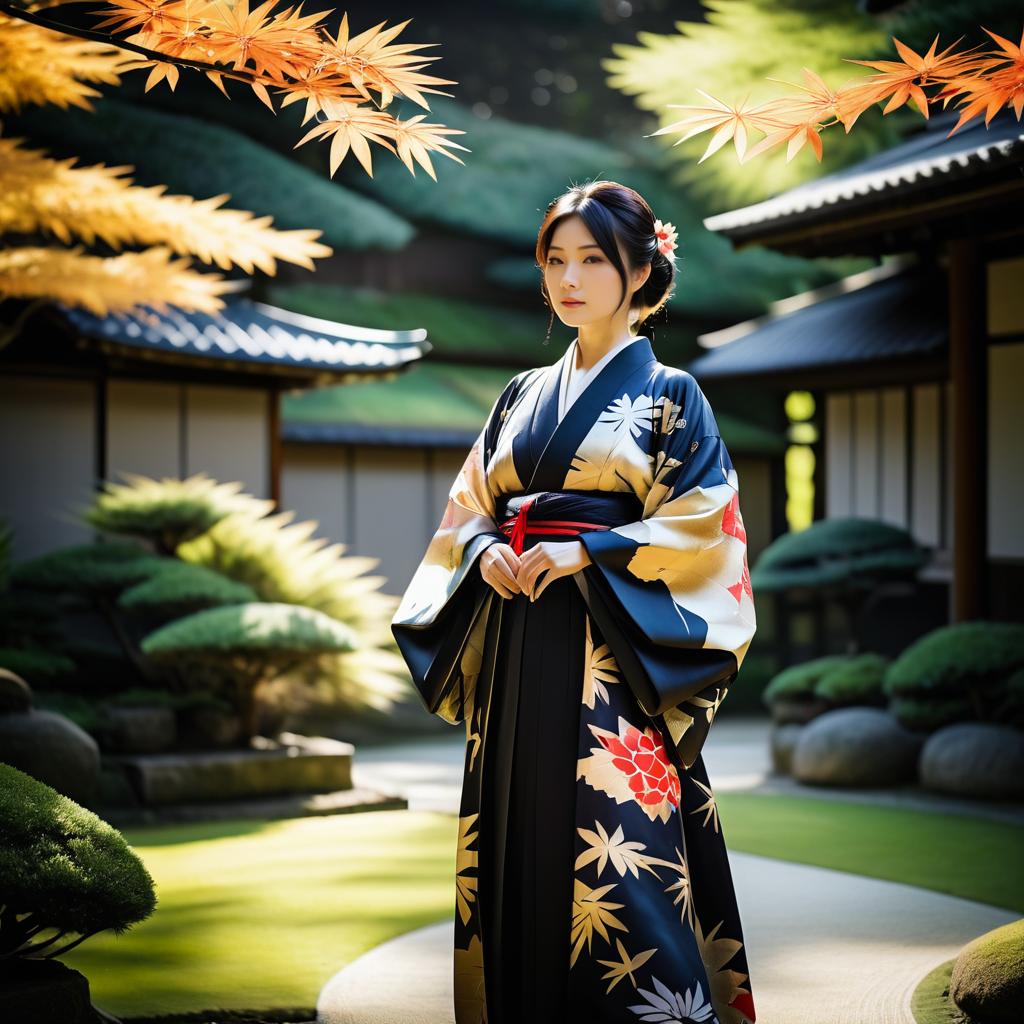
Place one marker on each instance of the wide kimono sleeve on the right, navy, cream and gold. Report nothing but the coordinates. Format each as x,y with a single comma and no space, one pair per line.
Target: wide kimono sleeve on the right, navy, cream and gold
671,592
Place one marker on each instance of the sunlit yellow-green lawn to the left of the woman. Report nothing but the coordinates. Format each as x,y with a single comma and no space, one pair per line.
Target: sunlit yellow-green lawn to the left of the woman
260,915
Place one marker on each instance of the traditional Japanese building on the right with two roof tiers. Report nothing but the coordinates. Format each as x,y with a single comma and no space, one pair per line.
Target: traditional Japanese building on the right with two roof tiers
917,366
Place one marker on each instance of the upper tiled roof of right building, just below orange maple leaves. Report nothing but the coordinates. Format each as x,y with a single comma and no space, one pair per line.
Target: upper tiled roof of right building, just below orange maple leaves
926,160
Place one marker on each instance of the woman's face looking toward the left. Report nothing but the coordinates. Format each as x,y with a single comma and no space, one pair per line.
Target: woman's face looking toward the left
577,269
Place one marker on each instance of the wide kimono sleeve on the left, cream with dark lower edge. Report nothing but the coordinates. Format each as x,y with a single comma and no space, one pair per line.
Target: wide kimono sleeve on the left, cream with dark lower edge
447,602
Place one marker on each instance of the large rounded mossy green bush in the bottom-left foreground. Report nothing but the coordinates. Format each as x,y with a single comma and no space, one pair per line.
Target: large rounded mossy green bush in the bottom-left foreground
63,871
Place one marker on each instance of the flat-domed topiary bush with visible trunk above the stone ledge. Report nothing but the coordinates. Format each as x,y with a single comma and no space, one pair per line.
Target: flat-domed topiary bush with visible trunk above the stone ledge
237,650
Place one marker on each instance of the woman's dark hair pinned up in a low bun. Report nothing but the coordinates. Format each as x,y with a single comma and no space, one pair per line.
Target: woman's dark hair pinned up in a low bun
613,211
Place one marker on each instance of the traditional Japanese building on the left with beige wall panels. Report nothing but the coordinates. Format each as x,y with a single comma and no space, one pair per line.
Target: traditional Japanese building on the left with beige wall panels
86,398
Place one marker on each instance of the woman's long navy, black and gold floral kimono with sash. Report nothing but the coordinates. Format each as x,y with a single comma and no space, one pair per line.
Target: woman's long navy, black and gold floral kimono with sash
592,878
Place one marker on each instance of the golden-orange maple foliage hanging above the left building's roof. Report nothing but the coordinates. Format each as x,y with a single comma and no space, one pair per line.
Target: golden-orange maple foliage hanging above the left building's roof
264,48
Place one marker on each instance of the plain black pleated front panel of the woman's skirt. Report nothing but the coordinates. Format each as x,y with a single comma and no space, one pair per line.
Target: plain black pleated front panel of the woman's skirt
528,803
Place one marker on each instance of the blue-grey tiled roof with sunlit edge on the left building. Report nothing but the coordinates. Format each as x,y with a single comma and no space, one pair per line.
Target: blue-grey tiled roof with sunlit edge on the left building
252,334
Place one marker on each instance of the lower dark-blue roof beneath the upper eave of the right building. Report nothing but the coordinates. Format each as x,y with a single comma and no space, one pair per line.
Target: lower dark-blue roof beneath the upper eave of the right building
883,314
